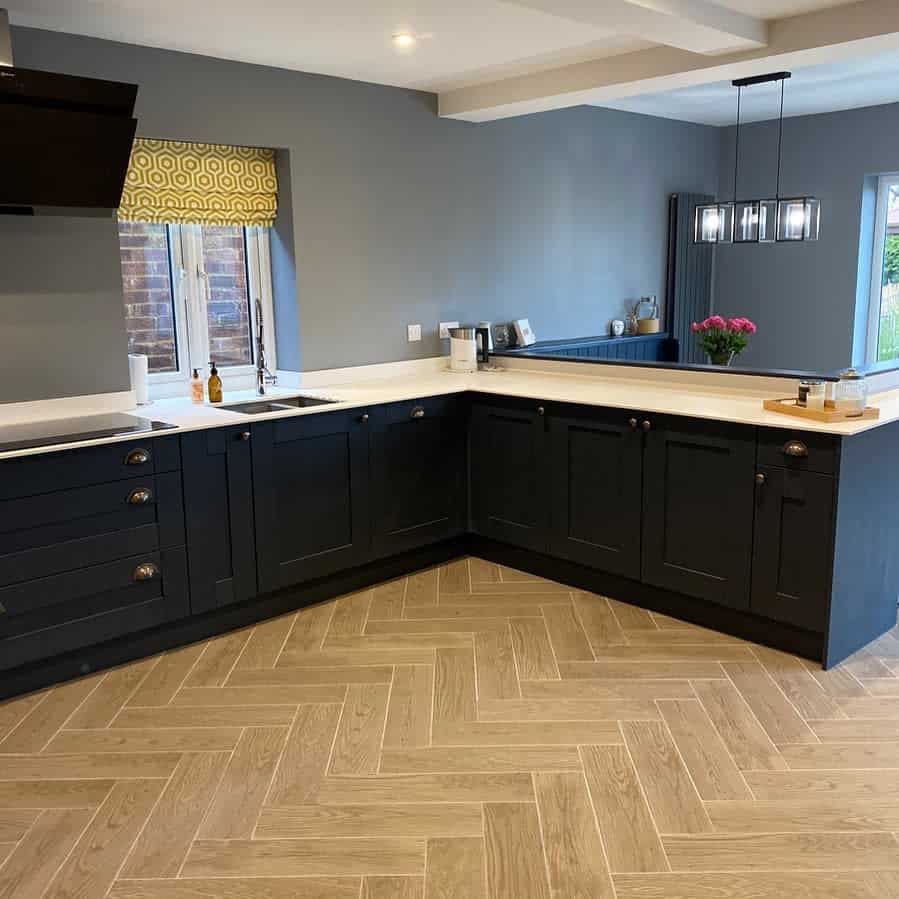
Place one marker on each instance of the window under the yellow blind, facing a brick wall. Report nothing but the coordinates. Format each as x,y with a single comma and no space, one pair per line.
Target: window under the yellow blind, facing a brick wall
190,297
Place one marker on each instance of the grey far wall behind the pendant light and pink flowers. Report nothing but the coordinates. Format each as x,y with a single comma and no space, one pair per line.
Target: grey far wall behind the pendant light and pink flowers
803,296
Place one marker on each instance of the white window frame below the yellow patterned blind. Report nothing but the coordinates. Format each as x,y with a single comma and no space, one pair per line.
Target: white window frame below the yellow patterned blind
189,298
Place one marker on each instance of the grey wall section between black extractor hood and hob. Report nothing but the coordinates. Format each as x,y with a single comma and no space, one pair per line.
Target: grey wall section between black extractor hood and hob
62,331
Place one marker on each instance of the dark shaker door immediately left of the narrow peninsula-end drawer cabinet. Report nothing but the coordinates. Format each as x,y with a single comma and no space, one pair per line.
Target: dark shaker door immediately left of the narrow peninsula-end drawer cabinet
698,483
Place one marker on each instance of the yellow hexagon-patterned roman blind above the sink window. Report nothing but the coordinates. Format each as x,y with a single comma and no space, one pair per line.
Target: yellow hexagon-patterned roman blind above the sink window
176,182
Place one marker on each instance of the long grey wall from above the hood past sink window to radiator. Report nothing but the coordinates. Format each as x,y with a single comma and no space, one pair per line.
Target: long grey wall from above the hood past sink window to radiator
398,216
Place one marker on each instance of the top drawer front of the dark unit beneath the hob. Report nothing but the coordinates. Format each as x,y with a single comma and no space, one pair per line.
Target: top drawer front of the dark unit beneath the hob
67,469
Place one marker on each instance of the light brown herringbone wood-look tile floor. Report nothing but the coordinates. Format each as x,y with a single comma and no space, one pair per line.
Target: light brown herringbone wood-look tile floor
467,732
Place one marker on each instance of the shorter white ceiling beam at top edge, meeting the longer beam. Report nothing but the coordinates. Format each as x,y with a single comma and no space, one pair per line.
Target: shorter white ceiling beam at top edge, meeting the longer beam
699,26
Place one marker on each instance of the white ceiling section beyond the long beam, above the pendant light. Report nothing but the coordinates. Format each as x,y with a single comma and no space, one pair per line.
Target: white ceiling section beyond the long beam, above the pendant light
849,84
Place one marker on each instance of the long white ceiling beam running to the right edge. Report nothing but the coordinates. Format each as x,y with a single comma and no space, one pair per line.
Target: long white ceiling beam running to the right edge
841,32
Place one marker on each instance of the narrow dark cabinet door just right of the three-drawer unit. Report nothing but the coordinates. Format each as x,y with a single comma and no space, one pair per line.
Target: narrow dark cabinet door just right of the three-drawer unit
218,496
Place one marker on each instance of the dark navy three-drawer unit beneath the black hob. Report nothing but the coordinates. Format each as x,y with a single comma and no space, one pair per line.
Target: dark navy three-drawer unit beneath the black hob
91,547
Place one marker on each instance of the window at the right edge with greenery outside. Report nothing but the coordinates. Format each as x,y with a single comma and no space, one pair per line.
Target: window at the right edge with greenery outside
883,310
